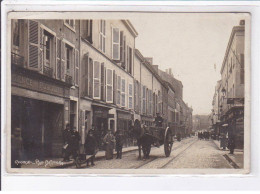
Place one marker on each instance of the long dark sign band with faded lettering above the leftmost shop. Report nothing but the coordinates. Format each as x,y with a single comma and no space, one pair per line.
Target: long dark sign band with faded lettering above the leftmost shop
37,85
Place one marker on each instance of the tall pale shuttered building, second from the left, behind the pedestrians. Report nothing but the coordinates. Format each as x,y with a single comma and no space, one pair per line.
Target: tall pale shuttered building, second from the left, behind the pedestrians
107,83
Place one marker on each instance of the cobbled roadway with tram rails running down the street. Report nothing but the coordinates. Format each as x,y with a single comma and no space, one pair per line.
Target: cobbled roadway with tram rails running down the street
189,153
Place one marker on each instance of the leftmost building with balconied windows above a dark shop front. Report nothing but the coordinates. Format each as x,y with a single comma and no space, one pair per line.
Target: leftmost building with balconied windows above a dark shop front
44,76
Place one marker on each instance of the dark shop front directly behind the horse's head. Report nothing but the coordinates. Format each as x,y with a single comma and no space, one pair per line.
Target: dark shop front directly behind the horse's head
125,123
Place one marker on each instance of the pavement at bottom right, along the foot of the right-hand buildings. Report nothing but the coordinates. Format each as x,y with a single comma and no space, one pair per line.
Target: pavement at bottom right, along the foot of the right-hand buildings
236,159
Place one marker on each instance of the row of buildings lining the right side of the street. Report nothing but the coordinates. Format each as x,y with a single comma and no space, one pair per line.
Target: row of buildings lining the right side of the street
228,101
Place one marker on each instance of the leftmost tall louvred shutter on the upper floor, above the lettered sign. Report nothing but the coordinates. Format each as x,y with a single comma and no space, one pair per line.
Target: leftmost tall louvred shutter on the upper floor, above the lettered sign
34,51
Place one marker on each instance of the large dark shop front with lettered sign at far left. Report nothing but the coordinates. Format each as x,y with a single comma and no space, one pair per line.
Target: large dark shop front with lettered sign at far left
39,107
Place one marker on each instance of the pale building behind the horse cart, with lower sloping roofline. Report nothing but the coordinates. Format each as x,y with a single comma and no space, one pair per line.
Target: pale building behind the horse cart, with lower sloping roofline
150,91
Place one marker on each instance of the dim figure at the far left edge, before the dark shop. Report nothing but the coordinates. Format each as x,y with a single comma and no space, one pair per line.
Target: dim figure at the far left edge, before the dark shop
16,148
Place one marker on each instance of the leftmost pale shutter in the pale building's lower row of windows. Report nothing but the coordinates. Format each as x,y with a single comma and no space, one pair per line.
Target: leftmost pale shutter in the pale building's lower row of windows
96,83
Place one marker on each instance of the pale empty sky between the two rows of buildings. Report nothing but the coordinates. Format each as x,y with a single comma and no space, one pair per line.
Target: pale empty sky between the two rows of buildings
190,44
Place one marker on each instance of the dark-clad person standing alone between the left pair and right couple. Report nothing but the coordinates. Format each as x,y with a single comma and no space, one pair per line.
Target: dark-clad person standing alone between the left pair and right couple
91,147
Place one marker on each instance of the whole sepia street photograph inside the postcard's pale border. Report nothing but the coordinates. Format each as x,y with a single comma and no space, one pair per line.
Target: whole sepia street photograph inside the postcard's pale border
109,94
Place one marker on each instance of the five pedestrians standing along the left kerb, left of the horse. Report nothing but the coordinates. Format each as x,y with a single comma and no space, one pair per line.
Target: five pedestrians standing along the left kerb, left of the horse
72,138
